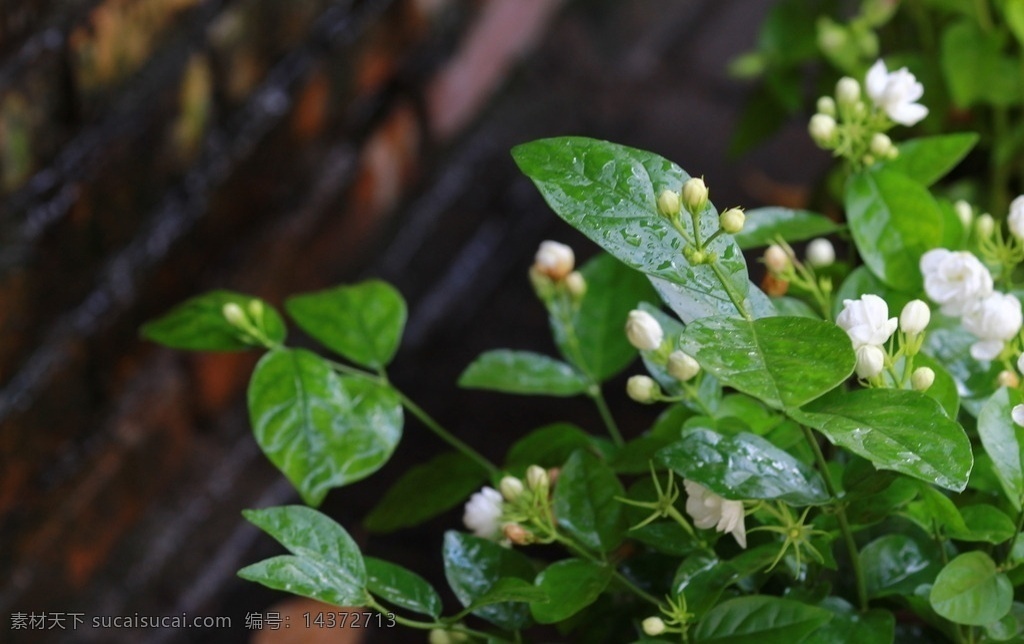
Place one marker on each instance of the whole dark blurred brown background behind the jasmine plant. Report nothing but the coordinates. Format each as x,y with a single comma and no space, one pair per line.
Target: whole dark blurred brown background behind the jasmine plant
153,150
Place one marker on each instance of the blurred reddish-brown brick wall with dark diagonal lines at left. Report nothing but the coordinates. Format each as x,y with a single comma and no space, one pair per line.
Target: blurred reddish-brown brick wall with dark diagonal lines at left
154,149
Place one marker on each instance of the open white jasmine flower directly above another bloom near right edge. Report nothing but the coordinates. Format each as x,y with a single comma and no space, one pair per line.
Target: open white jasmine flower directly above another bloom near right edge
956,281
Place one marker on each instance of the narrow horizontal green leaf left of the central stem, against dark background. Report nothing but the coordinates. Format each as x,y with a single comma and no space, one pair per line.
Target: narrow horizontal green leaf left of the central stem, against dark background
523,372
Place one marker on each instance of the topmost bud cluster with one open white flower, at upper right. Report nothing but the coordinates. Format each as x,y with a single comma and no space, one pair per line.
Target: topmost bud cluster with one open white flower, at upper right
856,130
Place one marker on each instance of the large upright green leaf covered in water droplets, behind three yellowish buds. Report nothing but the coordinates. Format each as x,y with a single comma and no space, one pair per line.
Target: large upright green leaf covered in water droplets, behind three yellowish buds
609,193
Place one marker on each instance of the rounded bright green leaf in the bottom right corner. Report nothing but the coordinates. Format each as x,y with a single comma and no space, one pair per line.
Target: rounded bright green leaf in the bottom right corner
971,590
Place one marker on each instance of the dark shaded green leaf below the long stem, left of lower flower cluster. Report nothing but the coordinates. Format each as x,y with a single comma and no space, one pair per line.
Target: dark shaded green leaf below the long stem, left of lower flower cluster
426,491
